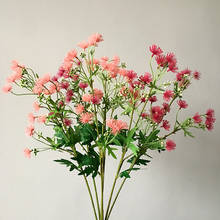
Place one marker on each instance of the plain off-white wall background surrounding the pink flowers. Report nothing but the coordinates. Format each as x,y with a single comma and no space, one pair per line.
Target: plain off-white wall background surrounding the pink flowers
180,185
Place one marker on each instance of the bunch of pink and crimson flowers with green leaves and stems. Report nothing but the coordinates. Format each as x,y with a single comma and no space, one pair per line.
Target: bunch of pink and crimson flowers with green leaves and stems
98,108
